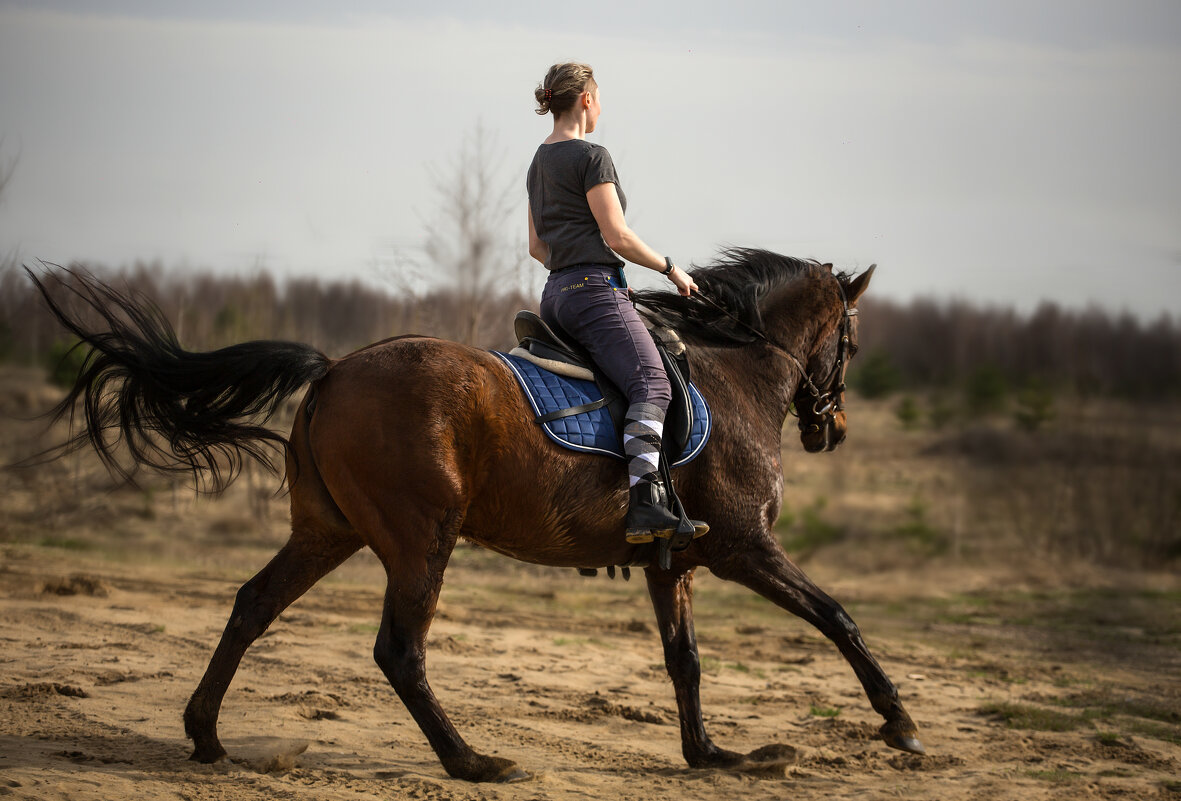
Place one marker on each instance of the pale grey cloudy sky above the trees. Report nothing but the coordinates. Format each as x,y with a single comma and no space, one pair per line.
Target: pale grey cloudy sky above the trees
1003,153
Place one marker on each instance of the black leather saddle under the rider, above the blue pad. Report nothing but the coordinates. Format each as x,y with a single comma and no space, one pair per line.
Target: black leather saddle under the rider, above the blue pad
559,354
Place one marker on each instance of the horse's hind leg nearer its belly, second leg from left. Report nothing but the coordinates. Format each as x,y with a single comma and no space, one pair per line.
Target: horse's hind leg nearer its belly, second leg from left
415,565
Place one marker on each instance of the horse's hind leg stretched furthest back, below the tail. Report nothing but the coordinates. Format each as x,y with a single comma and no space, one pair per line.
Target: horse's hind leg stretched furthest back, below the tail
309,556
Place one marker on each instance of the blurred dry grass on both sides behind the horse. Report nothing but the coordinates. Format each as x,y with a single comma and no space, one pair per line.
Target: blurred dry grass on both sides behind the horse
1101,486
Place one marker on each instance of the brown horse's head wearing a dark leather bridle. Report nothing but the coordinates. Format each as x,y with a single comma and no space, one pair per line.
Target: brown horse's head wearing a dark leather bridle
820,394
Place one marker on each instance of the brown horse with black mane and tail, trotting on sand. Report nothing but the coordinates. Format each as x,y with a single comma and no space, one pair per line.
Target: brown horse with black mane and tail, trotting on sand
412,444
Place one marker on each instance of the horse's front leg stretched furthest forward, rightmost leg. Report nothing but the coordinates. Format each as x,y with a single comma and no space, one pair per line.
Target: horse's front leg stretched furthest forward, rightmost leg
768,571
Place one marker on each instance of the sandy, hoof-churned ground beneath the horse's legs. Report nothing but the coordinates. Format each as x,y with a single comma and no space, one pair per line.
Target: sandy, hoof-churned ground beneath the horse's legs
565,676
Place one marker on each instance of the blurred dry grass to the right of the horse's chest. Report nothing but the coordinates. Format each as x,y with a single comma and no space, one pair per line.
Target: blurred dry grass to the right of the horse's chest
1100,485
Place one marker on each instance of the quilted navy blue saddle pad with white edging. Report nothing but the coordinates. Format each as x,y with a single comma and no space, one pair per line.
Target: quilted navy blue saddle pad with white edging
591,432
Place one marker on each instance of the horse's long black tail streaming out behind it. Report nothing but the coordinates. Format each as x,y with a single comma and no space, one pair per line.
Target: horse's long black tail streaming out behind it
173,409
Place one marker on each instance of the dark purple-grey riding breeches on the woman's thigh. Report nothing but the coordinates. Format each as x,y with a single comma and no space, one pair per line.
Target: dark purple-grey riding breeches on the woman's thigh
591,304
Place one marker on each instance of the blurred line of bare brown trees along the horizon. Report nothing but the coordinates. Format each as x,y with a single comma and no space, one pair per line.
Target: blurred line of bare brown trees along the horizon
905,347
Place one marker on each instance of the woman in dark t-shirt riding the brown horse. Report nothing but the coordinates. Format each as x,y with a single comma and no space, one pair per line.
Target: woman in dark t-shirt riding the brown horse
577,229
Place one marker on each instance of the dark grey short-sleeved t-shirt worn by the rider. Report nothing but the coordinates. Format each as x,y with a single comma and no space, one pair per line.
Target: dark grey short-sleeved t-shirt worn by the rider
559,179
